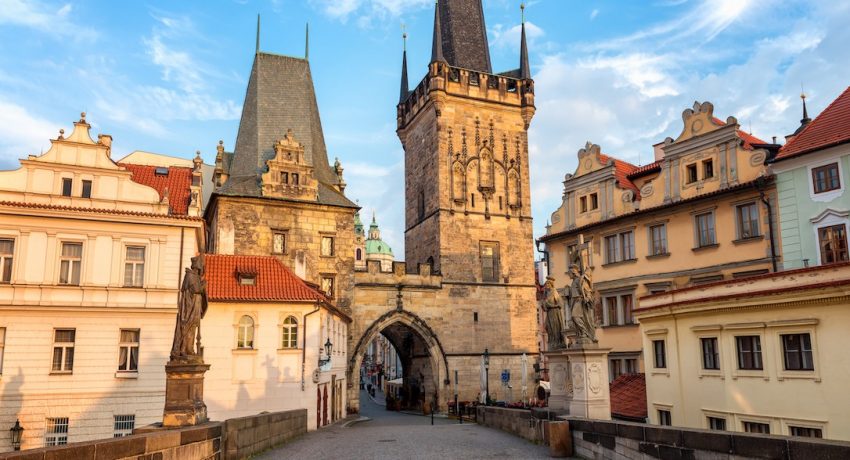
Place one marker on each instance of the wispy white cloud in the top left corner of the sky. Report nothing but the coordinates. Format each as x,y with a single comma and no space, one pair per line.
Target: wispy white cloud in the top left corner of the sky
47,19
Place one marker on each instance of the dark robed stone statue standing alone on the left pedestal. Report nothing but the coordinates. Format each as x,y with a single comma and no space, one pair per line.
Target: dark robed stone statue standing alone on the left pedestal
191,307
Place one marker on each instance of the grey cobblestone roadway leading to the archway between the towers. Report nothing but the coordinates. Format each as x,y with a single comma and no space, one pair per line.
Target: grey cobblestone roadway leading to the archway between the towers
391,435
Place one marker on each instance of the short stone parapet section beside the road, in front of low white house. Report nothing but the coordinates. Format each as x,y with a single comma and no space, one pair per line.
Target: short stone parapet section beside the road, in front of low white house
246,436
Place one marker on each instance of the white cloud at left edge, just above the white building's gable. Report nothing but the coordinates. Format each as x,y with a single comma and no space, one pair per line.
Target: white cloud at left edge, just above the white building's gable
22,134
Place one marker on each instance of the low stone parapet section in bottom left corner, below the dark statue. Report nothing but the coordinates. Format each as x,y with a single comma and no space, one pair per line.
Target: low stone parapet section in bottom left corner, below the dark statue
195,443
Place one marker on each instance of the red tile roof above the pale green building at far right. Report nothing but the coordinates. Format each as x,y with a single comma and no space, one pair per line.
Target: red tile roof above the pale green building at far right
831,127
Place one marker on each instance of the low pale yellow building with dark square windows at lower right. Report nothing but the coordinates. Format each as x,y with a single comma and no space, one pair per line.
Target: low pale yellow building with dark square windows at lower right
753,355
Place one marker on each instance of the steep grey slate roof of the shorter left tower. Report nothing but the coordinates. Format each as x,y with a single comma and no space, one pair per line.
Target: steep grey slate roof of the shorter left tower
280,96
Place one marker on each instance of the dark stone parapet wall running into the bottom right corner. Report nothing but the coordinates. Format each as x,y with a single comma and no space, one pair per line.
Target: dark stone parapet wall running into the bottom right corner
630,441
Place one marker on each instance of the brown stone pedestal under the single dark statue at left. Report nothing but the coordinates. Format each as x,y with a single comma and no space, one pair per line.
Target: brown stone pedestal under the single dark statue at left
184,394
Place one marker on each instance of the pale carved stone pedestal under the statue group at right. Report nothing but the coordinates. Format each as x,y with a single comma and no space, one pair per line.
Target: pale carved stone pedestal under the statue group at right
586,393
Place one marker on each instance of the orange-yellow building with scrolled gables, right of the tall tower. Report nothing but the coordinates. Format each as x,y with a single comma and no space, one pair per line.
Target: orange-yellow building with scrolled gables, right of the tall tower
701,212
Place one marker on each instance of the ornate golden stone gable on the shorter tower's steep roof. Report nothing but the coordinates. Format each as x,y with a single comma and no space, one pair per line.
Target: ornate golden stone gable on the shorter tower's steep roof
288,175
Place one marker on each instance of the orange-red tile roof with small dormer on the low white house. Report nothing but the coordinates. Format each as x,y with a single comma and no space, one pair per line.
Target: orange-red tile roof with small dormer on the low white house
274,280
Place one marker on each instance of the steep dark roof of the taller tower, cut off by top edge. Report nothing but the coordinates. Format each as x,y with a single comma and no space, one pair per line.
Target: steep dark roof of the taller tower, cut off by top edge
464,35
